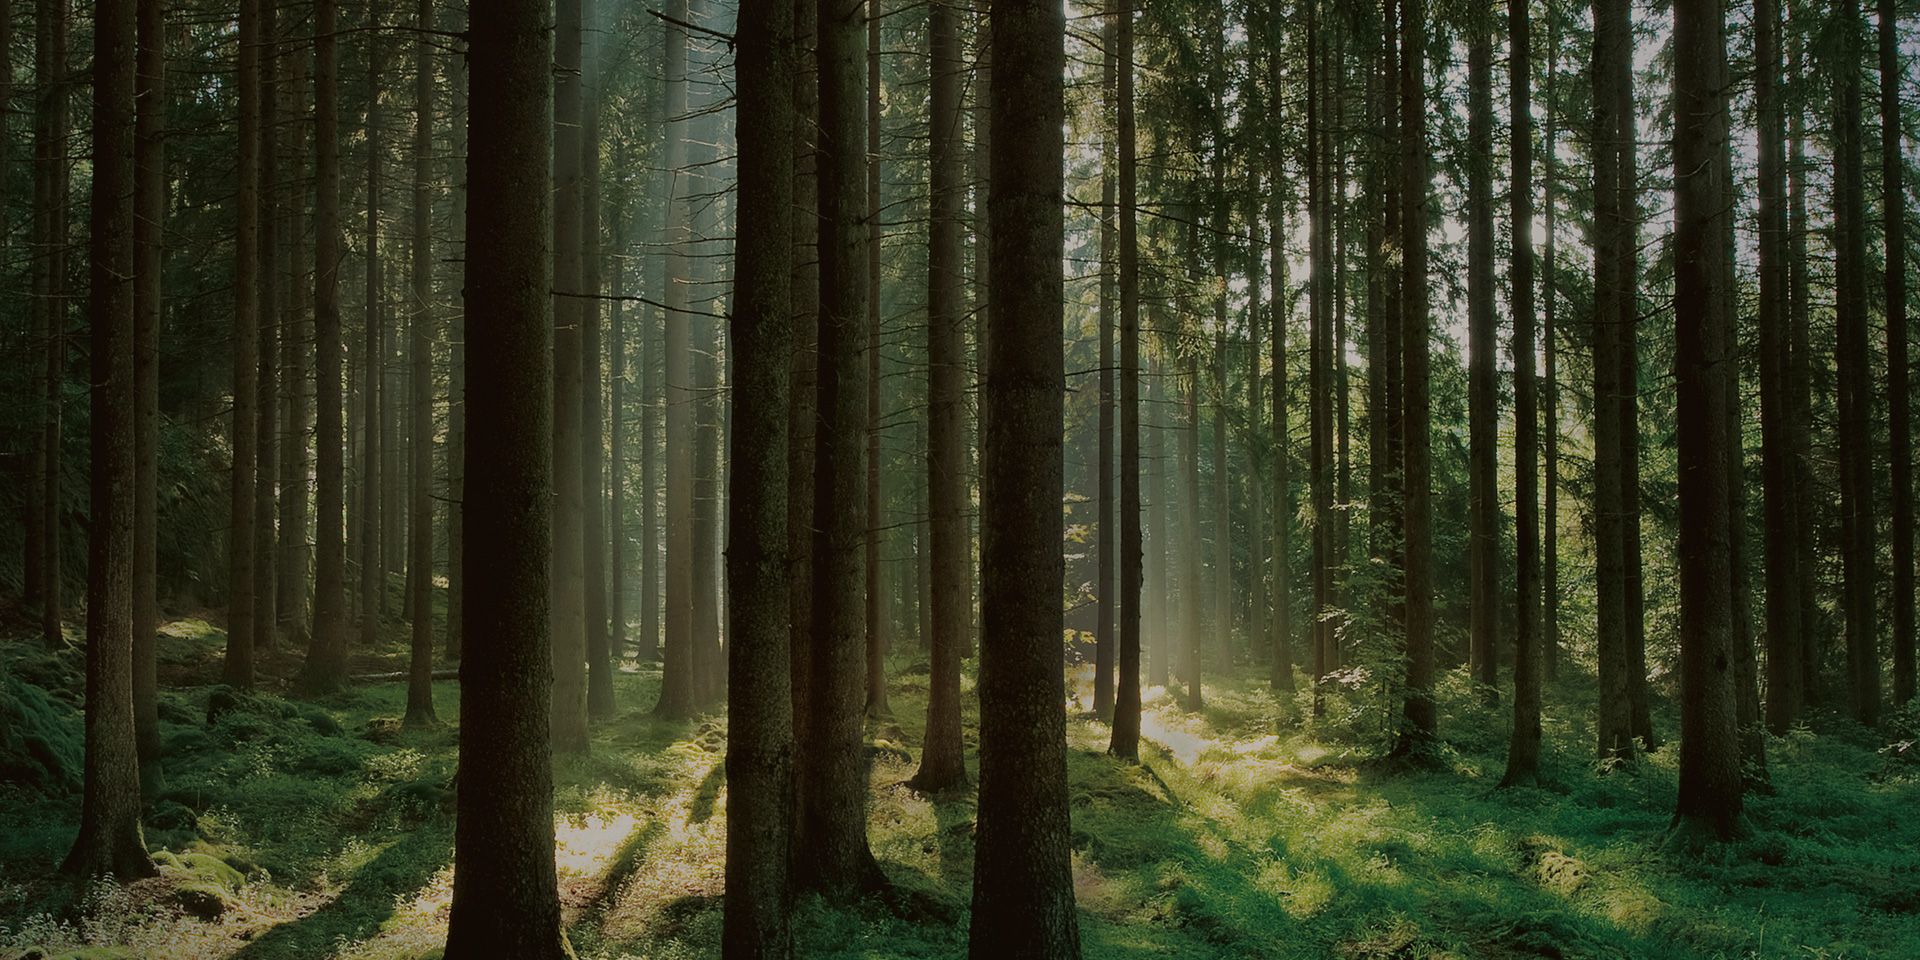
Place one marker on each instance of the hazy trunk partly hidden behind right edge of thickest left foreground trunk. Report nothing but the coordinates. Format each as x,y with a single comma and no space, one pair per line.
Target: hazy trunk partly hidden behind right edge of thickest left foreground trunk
569,318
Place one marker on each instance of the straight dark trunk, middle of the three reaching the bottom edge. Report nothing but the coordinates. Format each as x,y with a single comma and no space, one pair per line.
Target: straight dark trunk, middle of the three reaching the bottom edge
759,698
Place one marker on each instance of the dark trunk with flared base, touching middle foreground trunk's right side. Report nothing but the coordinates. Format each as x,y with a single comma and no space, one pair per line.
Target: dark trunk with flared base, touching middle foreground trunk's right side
834,857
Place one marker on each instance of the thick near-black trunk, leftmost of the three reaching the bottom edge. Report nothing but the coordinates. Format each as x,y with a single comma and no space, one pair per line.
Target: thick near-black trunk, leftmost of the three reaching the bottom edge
506,894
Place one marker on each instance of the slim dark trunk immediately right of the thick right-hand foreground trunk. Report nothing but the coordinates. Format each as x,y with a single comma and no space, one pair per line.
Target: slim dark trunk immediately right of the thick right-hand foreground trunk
1785,690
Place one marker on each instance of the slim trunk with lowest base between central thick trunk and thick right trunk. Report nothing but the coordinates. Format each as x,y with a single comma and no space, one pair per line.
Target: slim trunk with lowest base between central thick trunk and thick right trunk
1524,750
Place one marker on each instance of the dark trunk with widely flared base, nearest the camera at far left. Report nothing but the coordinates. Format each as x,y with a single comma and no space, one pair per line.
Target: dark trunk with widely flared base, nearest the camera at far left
110,804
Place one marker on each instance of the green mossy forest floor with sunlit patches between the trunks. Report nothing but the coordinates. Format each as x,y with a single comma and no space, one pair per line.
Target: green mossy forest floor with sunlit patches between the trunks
310,830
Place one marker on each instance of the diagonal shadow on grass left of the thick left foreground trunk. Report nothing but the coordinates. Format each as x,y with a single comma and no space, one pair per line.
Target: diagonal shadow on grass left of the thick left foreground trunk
364,905
